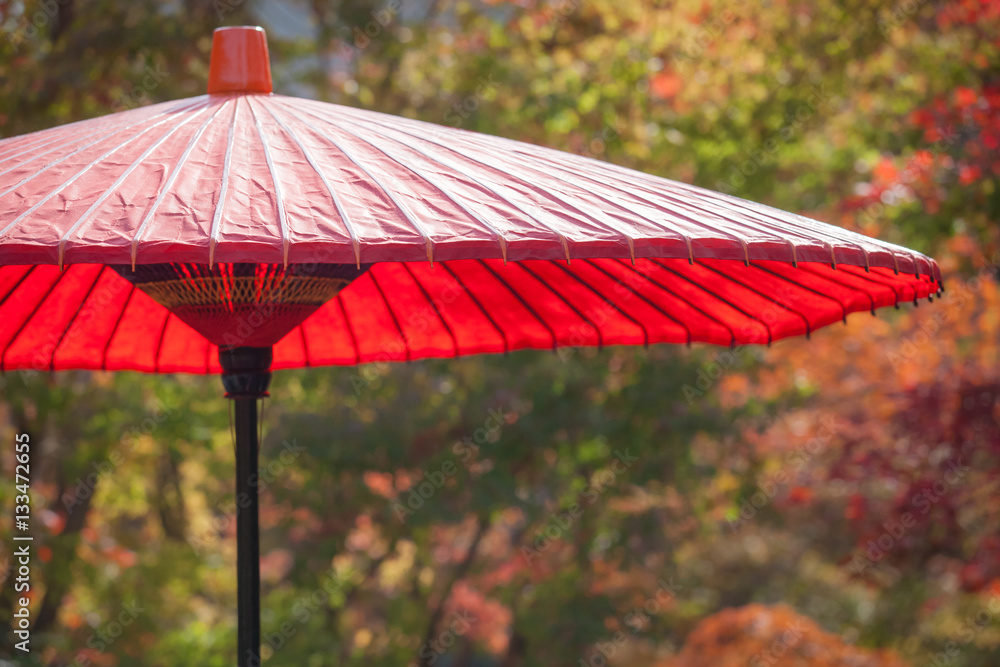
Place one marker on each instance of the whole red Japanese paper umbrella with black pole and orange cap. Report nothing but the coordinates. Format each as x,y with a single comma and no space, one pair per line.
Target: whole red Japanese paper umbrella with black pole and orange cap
242,231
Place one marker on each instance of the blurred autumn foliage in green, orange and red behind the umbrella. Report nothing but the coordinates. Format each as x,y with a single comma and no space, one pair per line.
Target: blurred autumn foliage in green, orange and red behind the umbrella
823,502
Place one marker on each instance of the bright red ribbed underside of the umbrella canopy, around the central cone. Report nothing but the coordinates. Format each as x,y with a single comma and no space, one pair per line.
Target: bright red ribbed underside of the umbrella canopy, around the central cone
87,316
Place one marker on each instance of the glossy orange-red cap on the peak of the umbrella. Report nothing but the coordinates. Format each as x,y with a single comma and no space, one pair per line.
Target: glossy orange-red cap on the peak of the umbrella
240,62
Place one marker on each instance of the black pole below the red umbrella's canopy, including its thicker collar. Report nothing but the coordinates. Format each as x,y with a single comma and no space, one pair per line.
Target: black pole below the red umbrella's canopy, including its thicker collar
246,376
